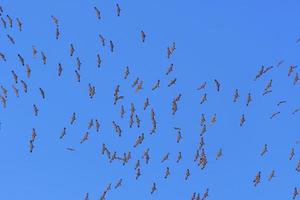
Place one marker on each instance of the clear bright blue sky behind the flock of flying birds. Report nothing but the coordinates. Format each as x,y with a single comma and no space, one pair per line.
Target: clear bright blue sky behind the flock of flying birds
224,40
